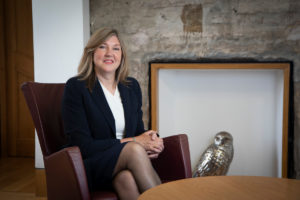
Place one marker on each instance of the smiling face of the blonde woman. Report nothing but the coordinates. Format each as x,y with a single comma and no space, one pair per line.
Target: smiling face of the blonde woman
107,57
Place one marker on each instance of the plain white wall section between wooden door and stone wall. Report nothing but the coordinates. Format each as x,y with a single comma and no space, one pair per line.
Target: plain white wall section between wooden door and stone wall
60,32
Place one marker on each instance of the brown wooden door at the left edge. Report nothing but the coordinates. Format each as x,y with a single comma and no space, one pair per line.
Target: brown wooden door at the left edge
18,139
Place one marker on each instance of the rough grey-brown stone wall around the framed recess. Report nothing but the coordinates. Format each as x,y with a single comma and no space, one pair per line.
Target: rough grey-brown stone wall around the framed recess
264,30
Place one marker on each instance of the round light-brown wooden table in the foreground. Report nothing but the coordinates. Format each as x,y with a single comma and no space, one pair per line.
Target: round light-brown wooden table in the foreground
225,188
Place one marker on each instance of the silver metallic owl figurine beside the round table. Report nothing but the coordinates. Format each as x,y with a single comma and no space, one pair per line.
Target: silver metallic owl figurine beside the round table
216,159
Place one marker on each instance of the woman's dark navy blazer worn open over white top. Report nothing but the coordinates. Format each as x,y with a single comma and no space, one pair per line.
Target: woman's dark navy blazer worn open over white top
88,120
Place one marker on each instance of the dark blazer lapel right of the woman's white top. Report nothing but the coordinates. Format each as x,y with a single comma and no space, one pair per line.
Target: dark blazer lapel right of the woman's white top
124,93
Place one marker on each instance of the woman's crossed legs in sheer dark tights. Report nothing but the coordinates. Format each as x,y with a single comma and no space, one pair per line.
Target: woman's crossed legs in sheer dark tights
134,173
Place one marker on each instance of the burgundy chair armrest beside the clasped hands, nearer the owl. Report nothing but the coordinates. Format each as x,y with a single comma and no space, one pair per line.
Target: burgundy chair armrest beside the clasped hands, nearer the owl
174,162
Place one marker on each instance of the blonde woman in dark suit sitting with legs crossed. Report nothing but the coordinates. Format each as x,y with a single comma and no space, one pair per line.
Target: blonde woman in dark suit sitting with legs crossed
102,115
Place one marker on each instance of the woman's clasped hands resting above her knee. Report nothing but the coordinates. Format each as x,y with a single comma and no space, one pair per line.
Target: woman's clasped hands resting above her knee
151,142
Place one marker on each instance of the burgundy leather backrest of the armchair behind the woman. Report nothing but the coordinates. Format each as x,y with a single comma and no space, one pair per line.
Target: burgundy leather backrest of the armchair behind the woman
47,119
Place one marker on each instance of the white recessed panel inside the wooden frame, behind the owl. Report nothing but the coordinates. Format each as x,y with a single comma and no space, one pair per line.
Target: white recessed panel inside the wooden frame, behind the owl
246,103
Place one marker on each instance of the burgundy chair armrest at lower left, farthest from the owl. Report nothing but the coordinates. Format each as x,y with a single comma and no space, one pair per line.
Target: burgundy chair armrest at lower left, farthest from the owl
65,175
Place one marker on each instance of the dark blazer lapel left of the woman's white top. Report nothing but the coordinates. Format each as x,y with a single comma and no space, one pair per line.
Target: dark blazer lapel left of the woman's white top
101,102
